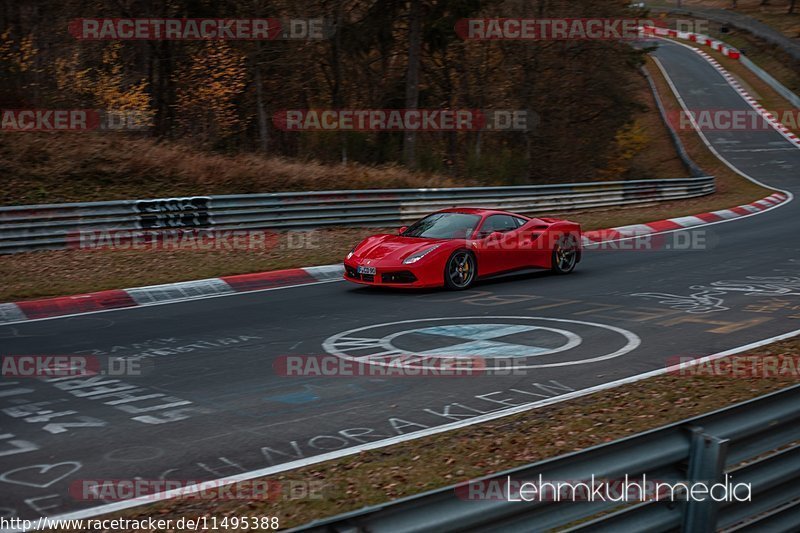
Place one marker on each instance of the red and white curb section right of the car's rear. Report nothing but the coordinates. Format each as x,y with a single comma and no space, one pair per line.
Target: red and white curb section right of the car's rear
671,224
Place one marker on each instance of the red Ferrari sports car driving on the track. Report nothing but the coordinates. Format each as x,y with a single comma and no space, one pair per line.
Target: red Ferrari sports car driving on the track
454,247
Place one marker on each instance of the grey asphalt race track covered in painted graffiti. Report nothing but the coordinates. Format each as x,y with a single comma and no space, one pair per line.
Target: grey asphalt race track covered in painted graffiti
211,404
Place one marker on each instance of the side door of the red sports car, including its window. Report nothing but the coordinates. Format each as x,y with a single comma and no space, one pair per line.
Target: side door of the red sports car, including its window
498,249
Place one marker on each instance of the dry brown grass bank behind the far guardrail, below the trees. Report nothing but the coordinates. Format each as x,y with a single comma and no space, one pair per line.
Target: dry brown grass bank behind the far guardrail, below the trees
47,168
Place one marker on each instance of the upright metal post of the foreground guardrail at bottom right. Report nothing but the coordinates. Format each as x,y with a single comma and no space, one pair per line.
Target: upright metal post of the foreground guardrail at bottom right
707,465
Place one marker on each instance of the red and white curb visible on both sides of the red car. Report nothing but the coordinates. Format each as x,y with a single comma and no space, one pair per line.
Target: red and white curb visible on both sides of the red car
204,288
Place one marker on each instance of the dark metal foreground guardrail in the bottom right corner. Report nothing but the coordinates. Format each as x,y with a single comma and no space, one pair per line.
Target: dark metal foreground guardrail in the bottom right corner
753,442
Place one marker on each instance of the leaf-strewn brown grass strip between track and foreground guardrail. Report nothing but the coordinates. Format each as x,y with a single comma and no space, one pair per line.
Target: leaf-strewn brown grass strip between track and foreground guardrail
377,476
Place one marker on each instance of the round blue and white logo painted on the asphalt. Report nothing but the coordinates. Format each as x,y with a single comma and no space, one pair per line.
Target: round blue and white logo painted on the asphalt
528,342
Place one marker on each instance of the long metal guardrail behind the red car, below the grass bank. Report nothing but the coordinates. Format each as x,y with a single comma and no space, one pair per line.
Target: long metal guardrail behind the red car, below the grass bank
55,226
